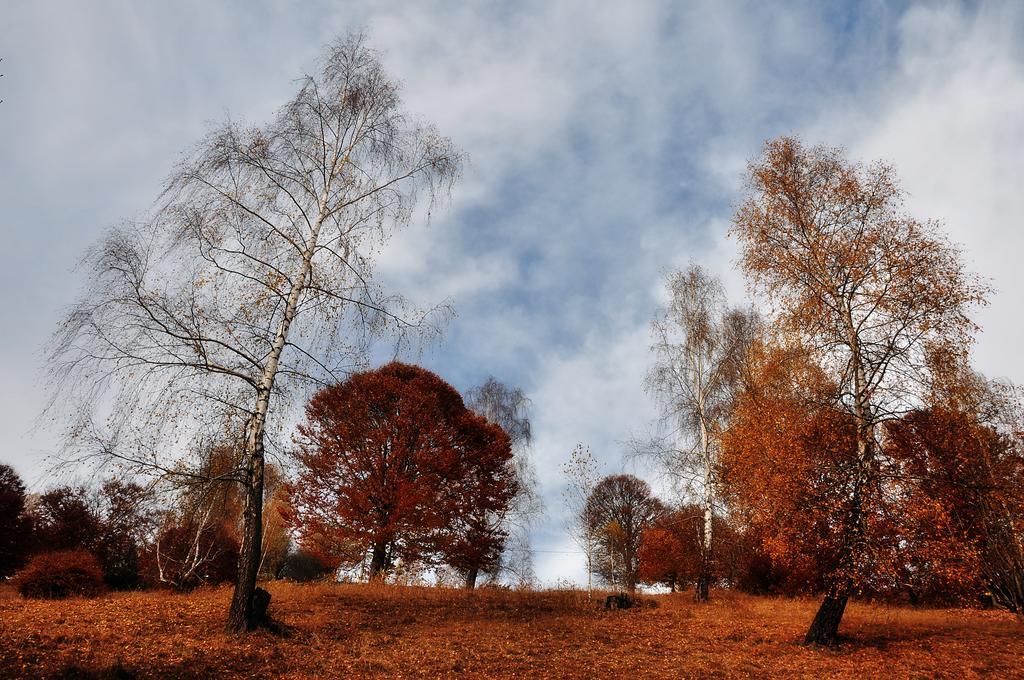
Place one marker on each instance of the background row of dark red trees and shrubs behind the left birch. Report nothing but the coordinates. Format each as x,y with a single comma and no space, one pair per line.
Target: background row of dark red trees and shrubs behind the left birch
394,472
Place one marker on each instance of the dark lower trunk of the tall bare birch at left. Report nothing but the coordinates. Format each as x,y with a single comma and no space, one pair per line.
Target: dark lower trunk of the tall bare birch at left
241,617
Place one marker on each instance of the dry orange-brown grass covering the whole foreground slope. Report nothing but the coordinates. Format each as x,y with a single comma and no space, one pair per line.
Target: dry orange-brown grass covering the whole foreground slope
365,631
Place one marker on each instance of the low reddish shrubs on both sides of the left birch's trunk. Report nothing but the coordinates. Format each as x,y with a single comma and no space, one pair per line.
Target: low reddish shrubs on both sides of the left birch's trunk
130,537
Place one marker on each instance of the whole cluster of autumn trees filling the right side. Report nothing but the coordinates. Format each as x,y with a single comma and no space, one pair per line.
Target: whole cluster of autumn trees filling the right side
845,441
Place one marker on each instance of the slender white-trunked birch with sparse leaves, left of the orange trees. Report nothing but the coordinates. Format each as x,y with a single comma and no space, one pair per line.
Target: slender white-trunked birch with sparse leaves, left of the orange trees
699,346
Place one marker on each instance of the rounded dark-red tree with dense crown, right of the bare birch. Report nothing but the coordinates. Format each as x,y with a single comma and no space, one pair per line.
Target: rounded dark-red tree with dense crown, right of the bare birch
394,464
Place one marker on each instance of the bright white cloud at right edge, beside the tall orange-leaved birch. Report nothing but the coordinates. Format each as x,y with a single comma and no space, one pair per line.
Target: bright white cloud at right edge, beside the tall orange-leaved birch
950,121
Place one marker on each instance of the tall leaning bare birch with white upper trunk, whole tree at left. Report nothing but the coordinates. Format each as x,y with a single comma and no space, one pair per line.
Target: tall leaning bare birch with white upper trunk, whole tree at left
249,283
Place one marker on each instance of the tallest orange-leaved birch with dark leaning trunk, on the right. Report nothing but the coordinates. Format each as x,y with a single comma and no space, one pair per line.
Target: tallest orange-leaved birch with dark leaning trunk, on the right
871,293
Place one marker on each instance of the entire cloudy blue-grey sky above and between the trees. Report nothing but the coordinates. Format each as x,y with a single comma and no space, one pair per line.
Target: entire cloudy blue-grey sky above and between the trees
608,144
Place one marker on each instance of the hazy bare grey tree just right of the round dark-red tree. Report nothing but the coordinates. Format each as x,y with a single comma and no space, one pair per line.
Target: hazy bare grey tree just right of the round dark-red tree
509,409
